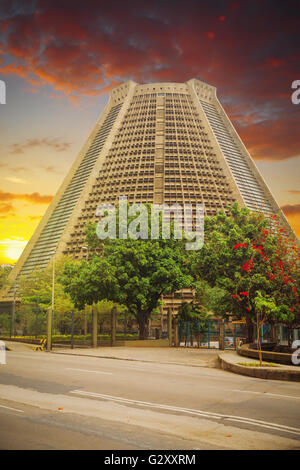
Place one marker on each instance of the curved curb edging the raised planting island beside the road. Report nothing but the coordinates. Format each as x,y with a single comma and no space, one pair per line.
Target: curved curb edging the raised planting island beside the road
267,373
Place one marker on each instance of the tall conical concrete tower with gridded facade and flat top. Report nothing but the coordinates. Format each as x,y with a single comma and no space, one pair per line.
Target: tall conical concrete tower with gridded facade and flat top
162,143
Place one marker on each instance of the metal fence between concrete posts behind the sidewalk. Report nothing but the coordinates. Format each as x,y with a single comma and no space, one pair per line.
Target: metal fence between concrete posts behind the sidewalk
75,328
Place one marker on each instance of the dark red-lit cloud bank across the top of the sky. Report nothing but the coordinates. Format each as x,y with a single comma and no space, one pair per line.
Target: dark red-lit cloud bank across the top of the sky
248,50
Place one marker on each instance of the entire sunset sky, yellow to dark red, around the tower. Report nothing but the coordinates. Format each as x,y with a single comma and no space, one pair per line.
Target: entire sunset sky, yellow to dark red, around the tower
60,58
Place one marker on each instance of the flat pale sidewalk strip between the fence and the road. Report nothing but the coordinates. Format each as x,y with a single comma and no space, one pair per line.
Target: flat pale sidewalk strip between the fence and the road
179,356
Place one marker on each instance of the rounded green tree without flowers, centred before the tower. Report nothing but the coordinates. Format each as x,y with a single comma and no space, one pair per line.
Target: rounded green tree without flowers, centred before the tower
135,273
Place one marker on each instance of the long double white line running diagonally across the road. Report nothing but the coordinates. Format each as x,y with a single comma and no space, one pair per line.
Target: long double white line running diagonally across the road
206,414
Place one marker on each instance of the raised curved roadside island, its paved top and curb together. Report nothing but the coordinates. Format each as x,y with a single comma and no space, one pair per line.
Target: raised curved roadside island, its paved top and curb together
231,361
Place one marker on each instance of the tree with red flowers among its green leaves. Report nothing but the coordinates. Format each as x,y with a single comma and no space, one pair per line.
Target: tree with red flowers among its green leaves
245,255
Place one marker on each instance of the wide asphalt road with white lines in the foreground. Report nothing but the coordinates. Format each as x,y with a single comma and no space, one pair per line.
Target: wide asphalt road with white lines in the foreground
52,401
